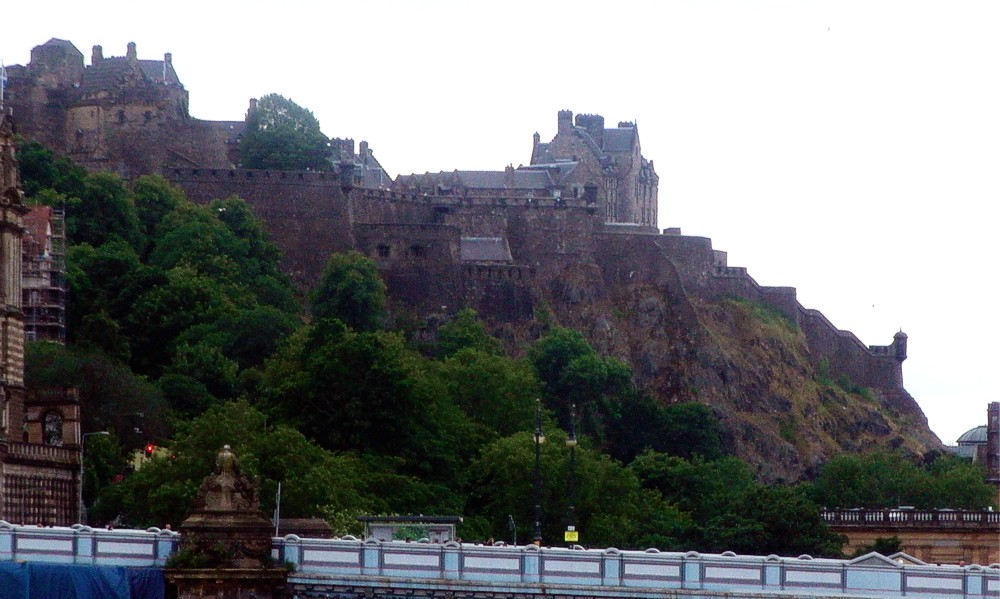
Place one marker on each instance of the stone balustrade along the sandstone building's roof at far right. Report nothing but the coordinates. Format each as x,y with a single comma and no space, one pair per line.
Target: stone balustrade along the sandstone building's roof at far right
862,518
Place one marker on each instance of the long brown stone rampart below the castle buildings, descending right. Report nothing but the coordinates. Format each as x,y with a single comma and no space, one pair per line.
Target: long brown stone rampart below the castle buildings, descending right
415,240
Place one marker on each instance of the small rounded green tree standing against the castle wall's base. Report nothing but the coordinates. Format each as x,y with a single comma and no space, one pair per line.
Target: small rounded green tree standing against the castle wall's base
352,291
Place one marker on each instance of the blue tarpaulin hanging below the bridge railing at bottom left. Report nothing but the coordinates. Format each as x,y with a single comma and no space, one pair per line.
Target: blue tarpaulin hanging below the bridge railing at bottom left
50,581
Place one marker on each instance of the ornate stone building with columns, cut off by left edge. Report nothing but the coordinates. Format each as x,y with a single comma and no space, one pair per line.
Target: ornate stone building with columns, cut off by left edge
39,430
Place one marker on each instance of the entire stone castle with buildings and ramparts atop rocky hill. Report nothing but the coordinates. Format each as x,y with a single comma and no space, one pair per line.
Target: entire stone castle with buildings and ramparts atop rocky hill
573,233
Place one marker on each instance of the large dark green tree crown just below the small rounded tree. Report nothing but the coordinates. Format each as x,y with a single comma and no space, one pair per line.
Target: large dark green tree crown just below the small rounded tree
365,391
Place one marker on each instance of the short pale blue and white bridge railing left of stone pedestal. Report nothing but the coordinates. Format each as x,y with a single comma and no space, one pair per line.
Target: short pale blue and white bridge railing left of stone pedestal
80,544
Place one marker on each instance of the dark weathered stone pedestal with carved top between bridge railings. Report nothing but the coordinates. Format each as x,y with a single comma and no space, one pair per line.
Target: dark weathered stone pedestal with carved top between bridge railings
226,543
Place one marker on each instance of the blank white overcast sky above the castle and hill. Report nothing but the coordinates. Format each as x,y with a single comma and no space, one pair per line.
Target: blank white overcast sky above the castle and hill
848,149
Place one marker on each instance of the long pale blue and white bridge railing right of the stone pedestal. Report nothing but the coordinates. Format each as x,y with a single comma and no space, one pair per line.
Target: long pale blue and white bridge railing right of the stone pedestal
529,566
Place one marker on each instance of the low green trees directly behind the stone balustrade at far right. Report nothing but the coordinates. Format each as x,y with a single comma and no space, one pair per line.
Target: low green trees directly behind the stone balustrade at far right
879,480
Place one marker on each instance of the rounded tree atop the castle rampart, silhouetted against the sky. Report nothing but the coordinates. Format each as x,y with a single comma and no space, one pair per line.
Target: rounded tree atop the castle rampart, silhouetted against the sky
282,135
